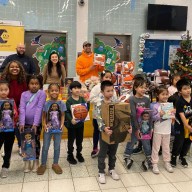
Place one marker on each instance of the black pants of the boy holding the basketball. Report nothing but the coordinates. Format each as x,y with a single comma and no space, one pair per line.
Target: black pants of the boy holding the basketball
75,134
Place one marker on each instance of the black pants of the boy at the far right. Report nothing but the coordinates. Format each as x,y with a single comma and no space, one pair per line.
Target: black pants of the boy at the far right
181,145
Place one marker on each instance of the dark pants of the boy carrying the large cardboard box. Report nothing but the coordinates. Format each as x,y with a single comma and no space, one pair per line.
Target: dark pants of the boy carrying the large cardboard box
105,149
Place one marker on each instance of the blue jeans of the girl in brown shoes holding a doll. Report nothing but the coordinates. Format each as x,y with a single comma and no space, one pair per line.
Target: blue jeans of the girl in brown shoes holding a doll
46,143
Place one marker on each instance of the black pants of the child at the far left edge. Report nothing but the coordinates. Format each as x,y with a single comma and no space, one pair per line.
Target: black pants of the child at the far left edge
7,139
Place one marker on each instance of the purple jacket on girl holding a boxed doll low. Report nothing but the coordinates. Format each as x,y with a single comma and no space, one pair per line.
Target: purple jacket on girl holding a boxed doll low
30,110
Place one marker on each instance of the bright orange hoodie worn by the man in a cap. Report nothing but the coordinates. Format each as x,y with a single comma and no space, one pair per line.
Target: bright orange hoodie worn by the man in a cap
83,64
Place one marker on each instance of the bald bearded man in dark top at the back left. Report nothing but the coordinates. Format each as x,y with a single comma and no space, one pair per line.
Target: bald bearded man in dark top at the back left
20,56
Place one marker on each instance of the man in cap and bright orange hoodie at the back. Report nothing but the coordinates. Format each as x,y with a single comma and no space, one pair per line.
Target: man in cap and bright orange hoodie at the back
85,67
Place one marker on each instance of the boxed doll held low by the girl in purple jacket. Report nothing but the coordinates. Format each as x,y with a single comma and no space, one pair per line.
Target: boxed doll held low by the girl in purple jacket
28,146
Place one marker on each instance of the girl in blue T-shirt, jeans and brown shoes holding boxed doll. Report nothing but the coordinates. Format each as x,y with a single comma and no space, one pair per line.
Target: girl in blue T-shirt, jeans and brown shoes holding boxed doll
53,91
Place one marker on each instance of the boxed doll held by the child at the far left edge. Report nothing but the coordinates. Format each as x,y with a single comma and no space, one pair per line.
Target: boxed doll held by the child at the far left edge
7,115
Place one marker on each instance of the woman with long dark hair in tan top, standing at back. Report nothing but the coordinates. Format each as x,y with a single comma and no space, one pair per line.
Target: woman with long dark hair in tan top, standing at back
53,71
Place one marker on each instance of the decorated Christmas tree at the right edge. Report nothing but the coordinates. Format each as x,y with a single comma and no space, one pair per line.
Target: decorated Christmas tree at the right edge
183,64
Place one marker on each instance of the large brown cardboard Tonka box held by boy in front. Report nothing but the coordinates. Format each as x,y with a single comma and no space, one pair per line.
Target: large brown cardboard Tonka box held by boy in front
116,116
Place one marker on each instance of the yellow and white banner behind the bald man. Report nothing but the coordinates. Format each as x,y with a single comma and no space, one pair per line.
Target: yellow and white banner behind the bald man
10,36
